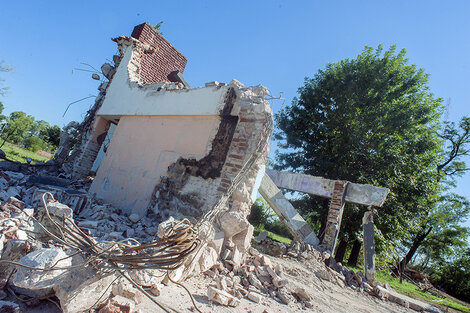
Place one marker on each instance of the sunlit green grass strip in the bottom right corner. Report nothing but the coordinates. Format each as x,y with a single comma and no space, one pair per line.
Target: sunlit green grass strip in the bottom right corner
413,291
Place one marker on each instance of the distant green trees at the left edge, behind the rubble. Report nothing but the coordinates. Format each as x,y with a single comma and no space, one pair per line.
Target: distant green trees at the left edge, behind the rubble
22,129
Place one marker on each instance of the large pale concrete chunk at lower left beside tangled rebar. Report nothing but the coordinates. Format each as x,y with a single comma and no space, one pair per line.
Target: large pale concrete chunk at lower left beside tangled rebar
35,283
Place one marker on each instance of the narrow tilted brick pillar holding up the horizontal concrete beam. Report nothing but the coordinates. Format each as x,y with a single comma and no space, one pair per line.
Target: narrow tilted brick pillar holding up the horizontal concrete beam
335,213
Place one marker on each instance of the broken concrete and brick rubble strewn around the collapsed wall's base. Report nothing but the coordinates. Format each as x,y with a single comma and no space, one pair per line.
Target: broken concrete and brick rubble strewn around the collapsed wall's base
252,276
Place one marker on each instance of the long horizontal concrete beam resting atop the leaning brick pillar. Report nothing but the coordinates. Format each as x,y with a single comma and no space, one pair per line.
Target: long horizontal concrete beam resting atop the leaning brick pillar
357,193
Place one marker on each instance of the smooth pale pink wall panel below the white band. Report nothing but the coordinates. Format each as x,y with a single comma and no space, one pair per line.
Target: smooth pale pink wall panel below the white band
140,152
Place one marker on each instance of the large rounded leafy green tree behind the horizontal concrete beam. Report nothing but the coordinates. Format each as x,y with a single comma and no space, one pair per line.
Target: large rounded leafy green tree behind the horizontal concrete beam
369,120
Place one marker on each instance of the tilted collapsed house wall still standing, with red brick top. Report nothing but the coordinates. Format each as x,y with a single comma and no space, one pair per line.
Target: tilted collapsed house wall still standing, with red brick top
176,152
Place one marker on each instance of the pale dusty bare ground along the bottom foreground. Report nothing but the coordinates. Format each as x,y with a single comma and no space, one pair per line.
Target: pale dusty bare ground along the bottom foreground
326,296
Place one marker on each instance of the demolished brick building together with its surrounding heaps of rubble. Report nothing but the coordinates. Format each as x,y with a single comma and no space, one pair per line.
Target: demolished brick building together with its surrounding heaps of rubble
159,153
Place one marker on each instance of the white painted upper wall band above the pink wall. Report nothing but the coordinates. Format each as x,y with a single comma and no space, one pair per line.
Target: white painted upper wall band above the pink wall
124,97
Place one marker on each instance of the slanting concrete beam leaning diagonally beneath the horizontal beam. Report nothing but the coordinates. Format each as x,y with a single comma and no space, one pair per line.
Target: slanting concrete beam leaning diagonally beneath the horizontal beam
286,212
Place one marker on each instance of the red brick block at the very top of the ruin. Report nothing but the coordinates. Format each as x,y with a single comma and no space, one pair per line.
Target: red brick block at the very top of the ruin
155,67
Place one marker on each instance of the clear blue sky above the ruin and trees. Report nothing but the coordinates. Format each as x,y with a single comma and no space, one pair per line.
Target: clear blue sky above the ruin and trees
273,43
